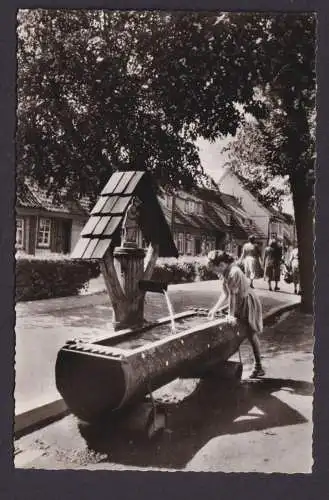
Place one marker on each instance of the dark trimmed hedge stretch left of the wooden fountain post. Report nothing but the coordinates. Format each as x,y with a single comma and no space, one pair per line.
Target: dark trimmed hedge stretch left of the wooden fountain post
48,278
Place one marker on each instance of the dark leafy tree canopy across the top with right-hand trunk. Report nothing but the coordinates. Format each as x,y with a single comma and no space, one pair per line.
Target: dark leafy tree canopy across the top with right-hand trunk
99,91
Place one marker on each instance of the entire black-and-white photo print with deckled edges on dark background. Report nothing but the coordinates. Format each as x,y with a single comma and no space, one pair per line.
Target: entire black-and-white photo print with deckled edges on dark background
164,255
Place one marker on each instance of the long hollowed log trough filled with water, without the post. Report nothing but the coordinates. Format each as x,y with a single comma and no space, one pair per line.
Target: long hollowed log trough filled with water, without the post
112,373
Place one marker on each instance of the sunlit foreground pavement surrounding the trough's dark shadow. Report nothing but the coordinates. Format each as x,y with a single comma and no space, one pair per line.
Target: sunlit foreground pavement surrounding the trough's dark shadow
262,426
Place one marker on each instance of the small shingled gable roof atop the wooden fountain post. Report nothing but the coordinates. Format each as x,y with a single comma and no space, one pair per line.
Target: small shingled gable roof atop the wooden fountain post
103,228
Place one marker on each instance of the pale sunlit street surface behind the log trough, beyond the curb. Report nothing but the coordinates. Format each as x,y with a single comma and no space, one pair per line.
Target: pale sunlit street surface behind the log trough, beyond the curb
42,327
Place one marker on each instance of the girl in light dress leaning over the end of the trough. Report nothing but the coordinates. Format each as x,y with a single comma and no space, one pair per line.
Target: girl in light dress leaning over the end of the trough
243,303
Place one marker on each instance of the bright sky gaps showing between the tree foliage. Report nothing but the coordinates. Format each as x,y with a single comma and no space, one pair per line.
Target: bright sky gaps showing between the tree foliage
213,160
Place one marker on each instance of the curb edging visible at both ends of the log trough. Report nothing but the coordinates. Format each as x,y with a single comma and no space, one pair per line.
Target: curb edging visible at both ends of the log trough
41,416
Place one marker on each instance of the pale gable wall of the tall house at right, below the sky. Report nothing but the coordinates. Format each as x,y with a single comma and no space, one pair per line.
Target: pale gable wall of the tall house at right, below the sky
229,184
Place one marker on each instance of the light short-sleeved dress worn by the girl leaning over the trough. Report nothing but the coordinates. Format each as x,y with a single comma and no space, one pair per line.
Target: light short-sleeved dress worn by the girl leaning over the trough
248,308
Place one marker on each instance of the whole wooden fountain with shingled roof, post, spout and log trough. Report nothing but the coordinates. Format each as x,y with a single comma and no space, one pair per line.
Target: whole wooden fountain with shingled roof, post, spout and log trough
113,375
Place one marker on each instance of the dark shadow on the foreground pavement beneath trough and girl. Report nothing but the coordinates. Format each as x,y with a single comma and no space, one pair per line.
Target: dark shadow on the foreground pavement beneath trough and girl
208,413
